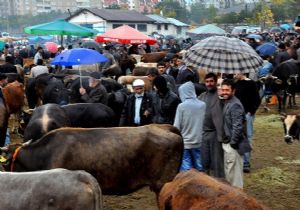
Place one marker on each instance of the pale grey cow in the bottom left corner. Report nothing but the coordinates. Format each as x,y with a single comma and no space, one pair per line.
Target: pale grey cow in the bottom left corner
57,189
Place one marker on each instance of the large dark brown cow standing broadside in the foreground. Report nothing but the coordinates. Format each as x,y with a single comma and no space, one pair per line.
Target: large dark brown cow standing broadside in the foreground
122,159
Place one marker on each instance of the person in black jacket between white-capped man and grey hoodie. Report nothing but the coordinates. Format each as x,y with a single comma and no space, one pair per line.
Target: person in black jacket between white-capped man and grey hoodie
165,102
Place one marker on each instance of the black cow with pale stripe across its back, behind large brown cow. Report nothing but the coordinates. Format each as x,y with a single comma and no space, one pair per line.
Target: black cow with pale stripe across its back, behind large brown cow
51,116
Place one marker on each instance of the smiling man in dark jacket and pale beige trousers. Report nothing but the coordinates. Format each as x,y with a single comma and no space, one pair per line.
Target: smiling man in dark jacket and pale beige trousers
235,142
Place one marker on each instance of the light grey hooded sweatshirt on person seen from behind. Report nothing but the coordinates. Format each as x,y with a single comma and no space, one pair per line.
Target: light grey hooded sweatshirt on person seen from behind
190,116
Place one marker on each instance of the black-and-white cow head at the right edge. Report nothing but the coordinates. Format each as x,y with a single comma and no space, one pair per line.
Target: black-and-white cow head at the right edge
291,125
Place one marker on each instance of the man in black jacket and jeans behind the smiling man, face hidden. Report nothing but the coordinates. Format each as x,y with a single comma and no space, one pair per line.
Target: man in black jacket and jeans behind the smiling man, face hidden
247,93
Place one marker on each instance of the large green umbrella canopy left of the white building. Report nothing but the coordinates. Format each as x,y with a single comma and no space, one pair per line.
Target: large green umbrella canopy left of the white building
59,27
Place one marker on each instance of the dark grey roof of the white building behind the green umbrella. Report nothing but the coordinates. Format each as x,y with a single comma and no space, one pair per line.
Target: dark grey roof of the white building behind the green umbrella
116,15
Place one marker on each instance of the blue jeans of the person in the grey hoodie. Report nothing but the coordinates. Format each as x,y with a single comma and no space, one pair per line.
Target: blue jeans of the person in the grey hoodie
191,159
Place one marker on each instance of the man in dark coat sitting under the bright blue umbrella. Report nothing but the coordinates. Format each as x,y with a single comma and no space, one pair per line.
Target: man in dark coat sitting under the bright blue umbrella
97,94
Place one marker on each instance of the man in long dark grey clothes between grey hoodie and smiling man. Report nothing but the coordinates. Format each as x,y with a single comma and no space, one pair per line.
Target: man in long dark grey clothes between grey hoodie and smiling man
211,149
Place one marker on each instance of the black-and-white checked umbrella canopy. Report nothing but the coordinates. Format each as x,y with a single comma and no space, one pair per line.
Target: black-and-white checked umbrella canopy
221,54
